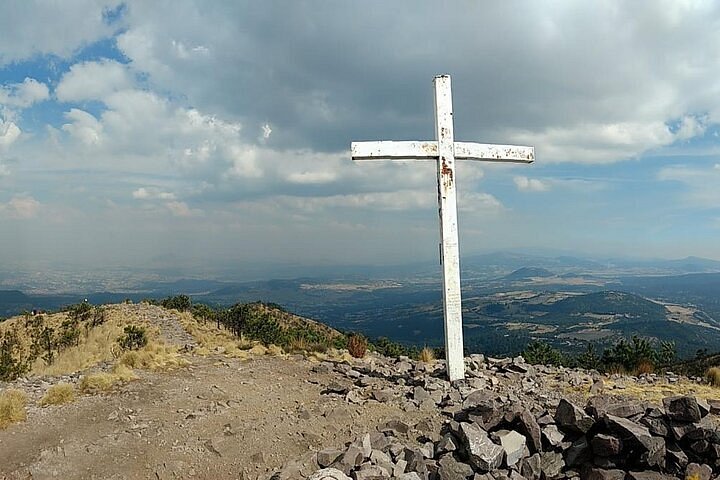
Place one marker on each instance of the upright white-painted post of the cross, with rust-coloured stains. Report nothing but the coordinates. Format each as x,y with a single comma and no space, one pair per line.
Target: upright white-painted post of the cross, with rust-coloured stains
447,211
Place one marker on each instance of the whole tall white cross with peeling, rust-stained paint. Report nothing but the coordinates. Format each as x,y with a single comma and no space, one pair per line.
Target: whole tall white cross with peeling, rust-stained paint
445,150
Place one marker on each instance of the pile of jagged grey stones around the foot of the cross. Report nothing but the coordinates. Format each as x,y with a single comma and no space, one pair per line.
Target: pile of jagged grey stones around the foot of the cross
500,425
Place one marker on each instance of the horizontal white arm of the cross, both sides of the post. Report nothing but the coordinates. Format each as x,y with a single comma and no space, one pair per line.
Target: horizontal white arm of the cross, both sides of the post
418,150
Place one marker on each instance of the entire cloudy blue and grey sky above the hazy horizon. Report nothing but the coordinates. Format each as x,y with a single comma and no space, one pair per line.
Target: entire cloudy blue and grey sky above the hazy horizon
137,133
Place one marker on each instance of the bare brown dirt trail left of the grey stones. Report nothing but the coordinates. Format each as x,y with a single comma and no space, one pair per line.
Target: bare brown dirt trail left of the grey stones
219,418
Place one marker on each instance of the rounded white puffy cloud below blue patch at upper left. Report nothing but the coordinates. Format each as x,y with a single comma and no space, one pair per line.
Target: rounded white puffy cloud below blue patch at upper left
93,81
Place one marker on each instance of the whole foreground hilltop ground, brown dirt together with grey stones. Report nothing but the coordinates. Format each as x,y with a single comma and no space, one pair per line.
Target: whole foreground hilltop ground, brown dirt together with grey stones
289,417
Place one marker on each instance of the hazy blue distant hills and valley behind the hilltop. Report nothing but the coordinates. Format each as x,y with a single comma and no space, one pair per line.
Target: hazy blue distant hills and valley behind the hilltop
509,299
